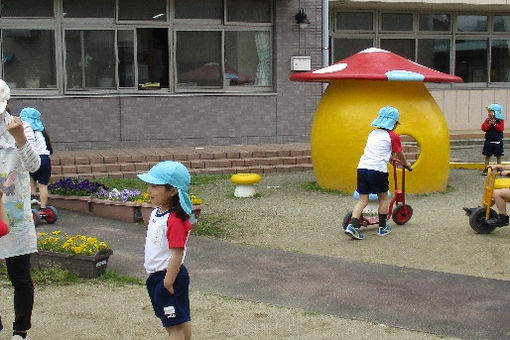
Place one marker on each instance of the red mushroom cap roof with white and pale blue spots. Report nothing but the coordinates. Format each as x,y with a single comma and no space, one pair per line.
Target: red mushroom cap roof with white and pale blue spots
376,64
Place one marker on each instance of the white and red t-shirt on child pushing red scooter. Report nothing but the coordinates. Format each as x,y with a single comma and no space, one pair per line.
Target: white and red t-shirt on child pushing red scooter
380,145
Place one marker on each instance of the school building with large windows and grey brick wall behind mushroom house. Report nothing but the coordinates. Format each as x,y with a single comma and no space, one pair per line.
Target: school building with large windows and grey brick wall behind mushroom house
131,73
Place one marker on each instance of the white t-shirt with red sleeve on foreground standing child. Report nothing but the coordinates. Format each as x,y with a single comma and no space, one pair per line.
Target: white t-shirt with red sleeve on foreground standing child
165,231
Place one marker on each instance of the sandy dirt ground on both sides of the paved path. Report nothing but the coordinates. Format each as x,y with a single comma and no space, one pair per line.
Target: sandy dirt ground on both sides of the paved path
286,217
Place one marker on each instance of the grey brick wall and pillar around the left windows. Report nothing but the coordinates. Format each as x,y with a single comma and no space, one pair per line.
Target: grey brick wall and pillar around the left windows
115,121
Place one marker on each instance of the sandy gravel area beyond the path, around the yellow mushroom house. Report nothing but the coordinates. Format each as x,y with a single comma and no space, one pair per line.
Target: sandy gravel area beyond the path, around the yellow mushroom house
438,236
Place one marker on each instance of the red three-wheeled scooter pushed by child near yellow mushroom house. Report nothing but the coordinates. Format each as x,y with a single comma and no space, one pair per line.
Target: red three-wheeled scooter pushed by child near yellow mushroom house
402,212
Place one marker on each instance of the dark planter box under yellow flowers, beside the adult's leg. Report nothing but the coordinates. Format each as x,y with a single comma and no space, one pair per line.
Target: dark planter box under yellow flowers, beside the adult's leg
83,266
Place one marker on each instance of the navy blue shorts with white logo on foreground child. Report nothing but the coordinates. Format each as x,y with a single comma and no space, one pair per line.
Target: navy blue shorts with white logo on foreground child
171,309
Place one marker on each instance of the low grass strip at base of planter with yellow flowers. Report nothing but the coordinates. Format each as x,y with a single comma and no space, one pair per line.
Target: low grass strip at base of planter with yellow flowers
56,276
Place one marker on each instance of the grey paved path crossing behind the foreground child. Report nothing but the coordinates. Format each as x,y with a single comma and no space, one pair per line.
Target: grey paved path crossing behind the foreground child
445,304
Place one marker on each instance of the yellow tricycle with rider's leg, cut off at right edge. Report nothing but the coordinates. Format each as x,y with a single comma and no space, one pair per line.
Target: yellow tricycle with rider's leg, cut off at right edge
483,219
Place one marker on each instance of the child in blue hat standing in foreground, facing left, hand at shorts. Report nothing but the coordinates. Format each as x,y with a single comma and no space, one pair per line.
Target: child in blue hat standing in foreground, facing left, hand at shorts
165,246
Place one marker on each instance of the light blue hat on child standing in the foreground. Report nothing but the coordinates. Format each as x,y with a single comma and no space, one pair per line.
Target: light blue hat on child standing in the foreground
174,174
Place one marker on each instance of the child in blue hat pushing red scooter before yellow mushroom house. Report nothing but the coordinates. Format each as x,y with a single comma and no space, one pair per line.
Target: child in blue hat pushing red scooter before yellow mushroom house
372,176
